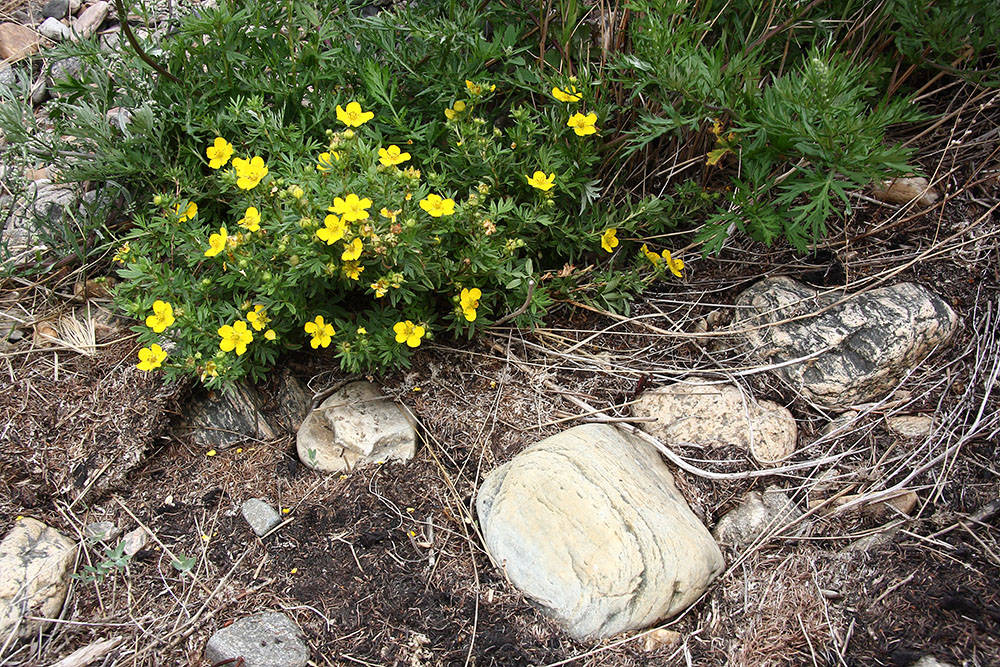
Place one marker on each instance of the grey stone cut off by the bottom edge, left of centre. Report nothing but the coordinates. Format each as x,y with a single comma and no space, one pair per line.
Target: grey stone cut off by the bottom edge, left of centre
269,639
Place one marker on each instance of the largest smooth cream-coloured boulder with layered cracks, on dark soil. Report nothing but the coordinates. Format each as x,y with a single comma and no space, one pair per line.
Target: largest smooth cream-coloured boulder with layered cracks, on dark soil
588,523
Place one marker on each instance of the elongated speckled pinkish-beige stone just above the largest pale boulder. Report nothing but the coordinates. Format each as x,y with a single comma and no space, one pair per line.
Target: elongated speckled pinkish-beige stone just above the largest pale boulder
701,412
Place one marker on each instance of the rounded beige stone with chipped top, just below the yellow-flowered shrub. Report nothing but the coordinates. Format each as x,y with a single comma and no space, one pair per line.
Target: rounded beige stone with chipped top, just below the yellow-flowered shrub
356,425
